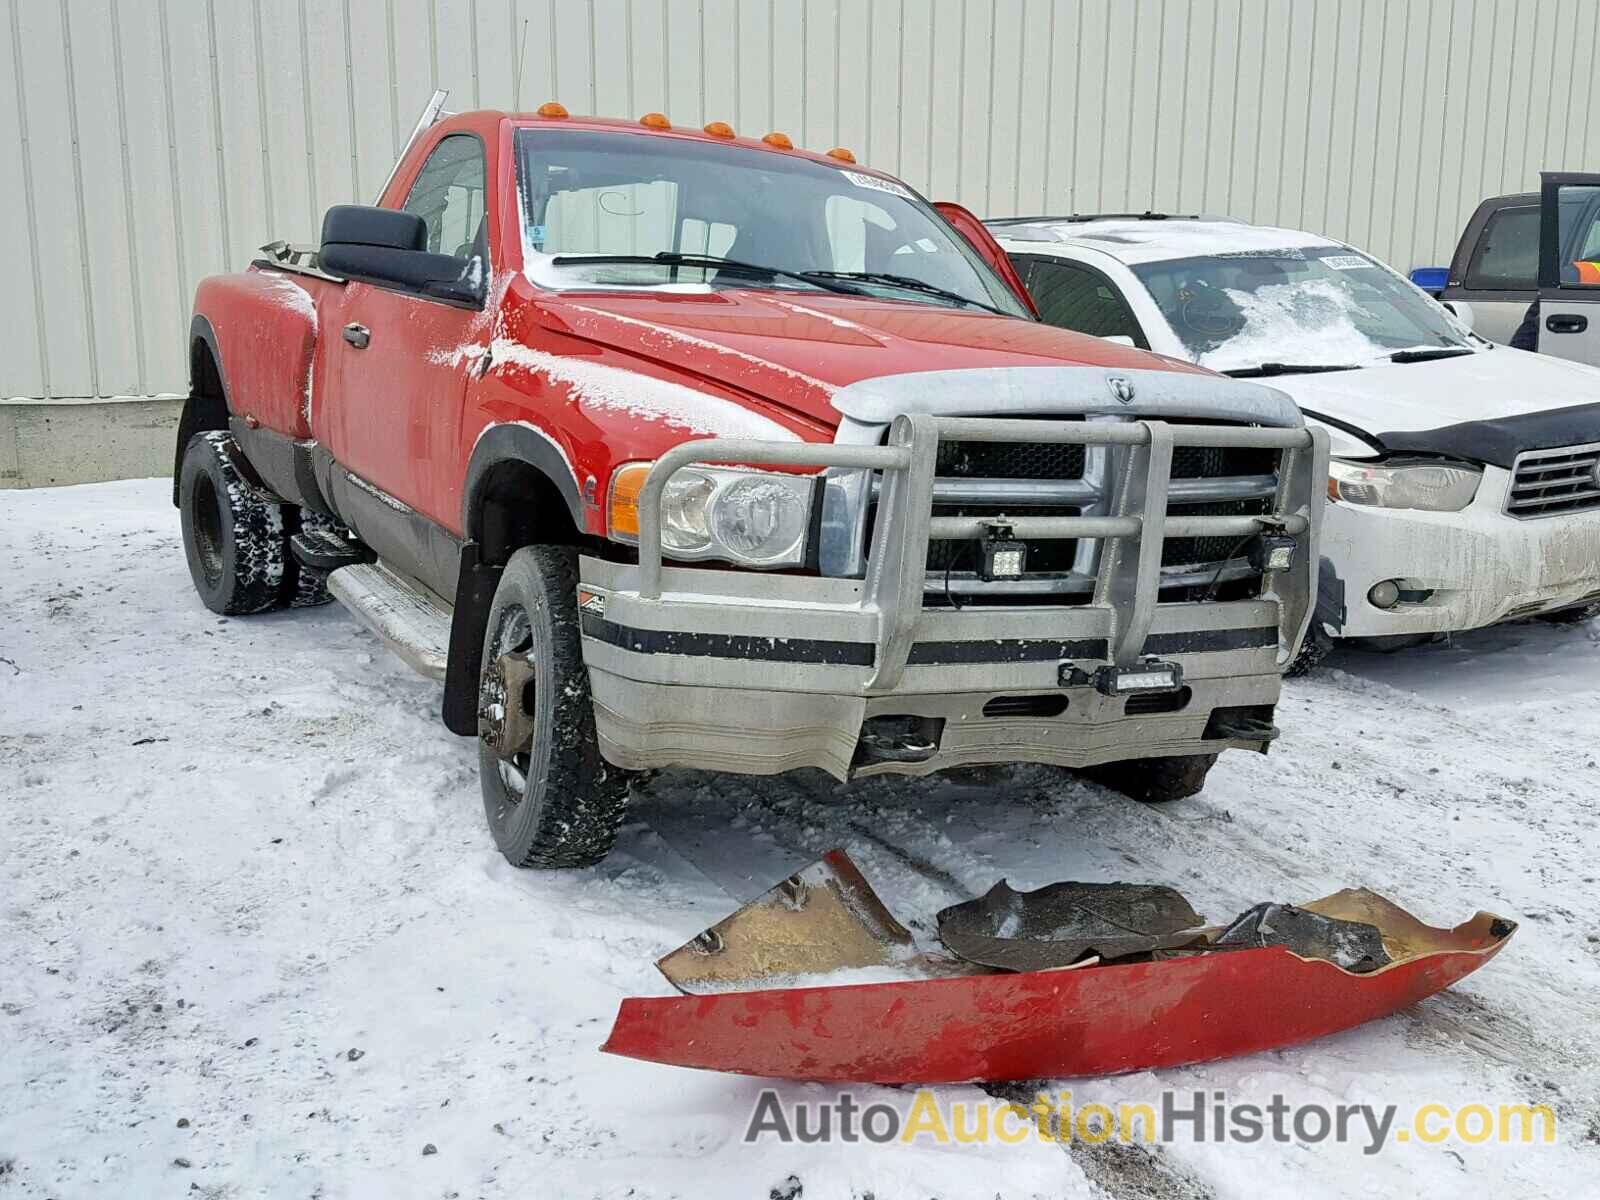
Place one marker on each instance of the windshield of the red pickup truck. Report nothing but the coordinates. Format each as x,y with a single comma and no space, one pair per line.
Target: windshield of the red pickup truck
622,194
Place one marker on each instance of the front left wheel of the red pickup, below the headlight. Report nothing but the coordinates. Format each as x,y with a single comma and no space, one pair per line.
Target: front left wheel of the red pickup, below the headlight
554,802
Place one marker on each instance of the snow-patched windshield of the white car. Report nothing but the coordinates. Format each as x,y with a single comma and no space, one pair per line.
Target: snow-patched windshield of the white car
1319,306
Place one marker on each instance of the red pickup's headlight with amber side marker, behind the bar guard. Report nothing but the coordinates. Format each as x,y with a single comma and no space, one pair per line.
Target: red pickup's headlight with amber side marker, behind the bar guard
750,518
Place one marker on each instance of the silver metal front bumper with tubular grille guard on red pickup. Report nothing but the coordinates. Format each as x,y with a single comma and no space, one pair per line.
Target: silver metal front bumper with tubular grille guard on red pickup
758,674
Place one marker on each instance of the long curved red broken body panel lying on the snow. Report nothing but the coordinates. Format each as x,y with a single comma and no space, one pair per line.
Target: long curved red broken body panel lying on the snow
1087,1020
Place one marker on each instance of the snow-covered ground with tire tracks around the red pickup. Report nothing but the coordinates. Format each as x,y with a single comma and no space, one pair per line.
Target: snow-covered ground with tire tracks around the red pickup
255,940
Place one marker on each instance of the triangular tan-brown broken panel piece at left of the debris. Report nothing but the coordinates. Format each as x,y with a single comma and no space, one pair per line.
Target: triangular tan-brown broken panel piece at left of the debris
817,922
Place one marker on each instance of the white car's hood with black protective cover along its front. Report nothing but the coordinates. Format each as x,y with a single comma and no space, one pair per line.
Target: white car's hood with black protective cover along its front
1484,407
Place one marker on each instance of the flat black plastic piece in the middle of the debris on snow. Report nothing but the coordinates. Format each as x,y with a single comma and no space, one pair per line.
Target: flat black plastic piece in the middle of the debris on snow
1065,922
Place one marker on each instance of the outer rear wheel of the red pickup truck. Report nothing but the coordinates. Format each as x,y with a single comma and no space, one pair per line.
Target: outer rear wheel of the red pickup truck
233,530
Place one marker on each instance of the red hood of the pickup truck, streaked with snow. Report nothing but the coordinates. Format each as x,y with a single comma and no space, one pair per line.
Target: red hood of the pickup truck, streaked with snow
799,351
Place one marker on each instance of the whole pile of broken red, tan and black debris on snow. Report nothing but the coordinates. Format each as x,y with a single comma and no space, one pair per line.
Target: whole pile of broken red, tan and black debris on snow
817,980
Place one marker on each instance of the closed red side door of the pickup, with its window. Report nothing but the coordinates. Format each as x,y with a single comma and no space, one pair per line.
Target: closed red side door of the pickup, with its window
401,361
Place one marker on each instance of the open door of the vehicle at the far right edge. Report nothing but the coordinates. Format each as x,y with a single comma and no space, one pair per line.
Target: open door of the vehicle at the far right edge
1570,266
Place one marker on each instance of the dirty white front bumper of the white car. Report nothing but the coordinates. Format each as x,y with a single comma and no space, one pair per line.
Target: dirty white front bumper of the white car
1458,570
